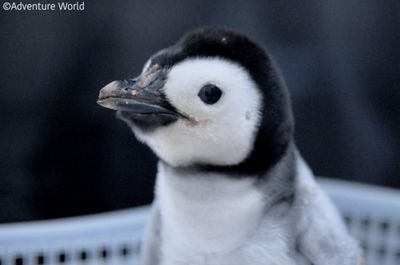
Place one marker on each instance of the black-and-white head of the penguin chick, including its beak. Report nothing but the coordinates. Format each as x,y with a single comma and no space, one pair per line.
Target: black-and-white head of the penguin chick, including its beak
214,99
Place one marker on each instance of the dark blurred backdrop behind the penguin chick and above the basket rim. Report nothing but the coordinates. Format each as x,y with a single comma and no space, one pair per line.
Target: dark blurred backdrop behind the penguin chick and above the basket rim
62,155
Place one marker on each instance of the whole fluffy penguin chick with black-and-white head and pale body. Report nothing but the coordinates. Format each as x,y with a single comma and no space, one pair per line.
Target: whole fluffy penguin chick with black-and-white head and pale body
231,186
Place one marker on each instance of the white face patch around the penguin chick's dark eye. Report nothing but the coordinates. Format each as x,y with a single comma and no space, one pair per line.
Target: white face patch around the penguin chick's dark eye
218,134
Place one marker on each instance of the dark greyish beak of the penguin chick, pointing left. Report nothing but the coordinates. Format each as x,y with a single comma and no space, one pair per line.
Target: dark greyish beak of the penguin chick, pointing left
140,98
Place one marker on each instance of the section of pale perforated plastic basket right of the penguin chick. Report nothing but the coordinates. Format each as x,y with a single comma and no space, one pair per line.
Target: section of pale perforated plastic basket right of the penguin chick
372,215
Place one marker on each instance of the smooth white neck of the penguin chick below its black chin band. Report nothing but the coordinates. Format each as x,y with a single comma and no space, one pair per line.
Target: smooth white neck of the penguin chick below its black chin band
211,212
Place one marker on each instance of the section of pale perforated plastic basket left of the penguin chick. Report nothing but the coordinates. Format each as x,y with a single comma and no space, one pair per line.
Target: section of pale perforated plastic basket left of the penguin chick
109,238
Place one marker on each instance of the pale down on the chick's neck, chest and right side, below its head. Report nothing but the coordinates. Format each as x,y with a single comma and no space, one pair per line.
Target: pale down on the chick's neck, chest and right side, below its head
211,219
